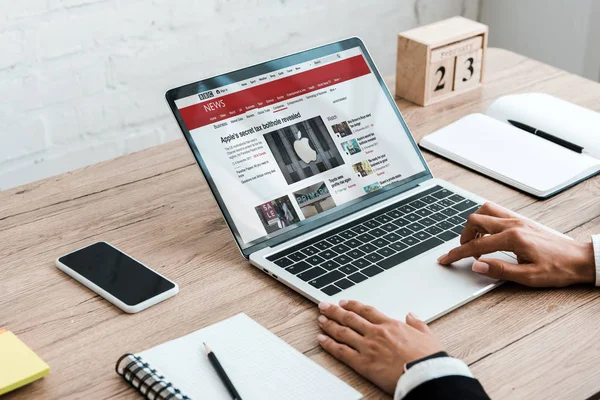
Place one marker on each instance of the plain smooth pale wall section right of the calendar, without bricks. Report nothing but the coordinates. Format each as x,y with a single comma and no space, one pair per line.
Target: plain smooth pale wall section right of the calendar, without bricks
563,33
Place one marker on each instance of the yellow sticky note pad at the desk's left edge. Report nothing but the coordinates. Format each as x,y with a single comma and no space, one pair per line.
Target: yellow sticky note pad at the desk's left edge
19,365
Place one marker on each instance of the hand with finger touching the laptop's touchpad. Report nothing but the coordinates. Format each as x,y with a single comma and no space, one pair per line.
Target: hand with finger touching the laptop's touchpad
545,259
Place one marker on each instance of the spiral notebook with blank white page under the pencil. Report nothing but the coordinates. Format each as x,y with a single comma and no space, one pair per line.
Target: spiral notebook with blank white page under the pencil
260,365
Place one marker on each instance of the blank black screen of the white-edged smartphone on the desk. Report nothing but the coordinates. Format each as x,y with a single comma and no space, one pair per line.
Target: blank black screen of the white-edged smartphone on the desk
116,273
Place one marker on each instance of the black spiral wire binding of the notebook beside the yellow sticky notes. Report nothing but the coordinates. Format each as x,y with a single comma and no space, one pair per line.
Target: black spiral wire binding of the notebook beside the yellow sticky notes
146,380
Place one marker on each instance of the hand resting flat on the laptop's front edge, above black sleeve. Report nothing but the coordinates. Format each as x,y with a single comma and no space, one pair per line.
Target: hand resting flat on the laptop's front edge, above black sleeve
375,346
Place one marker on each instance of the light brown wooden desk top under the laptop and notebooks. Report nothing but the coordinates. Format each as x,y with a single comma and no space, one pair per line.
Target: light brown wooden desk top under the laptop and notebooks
521,343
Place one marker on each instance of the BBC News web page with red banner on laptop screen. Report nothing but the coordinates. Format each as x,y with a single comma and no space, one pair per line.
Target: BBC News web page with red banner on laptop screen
290,144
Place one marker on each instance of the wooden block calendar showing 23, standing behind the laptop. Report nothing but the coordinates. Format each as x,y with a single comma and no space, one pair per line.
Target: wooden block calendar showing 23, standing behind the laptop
440,60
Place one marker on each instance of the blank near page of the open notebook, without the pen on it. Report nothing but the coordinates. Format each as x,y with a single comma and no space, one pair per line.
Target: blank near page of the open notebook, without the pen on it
510,154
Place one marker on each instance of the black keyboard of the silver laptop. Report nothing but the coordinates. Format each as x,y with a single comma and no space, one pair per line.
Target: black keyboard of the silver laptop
352,253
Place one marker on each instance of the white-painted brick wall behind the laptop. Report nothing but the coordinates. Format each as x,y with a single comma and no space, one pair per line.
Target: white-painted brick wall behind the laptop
83,80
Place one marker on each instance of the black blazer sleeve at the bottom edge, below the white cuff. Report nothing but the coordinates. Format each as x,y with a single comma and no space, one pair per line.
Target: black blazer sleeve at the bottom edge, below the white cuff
451,387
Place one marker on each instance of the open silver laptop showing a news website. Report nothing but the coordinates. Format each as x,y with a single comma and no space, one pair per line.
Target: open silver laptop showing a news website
322,184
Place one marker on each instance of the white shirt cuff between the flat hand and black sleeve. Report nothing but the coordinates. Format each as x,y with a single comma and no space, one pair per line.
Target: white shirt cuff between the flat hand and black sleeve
428,370
